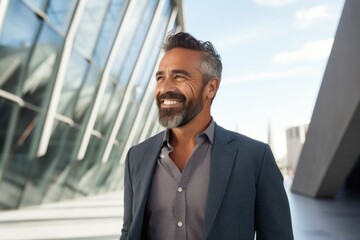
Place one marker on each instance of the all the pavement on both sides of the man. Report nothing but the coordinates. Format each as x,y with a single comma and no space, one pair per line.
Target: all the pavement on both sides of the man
100,218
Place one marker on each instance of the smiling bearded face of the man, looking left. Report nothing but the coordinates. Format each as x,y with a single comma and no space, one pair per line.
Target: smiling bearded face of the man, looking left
179,87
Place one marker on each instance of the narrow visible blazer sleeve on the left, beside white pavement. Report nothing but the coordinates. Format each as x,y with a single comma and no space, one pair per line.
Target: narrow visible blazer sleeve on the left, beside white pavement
128,200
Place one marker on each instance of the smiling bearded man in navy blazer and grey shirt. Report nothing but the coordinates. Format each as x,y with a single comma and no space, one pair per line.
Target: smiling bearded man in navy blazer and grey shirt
197,180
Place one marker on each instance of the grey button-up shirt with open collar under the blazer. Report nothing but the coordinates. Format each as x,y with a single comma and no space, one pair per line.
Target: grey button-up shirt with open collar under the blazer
175,208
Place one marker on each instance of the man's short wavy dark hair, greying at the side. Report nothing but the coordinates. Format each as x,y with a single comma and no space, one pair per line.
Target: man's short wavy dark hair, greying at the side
211,64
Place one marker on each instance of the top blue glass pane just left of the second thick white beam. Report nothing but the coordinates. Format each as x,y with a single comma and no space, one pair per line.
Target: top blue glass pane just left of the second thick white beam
113,20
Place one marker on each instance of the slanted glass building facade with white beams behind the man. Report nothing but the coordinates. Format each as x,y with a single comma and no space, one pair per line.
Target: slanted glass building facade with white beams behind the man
76,92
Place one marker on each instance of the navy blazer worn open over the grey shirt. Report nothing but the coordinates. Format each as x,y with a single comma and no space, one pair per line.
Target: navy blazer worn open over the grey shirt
246,192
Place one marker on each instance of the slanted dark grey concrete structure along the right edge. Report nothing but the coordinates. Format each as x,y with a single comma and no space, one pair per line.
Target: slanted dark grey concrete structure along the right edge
329,160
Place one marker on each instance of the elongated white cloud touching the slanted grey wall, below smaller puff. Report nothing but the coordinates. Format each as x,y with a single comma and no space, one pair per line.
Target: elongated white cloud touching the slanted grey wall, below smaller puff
310,51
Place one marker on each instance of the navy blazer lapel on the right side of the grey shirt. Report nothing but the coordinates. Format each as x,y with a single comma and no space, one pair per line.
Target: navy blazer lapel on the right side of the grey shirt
222,161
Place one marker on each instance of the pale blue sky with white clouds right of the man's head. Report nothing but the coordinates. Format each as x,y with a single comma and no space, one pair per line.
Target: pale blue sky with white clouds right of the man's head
274,53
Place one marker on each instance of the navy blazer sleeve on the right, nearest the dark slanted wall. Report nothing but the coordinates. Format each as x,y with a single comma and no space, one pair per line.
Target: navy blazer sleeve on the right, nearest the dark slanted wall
272,212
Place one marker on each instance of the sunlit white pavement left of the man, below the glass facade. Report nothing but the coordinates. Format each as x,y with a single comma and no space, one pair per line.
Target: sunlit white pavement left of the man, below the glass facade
92,218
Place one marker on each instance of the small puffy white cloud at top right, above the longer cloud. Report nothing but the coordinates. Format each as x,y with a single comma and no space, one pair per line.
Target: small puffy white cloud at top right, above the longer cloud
307,17
